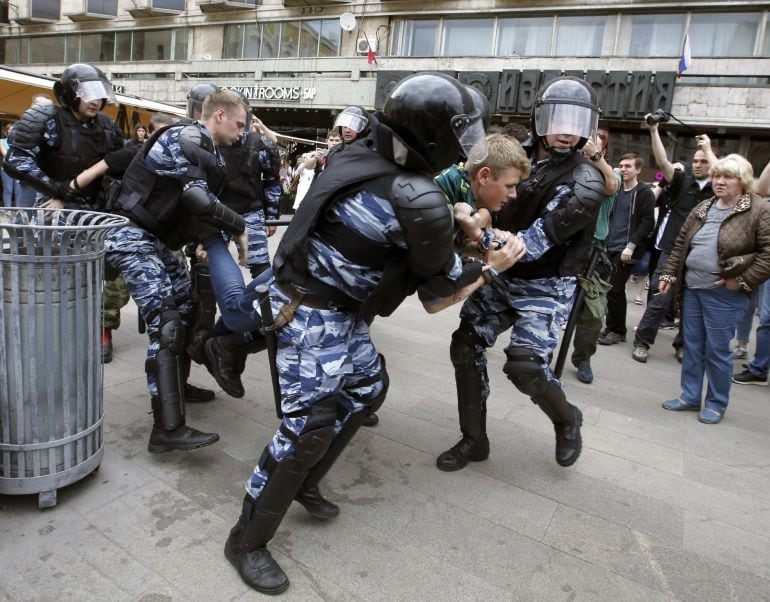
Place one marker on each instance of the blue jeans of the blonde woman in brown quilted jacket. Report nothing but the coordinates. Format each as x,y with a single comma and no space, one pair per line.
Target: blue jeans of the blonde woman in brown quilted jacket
709,317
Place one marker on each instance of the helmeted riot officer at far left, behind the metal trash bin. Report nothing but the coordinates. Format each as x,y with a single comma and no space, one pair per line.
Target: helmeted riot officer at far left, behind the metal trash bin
53,144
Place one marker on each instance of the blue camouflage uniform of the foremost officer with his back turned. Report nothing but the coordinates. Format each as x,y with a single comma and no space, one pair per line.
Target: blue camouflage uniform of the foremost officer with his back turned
329,352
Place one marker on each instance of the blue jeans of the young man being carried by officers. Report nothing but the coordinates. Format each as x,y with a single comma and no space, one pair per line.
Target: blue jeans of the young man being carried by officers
234,297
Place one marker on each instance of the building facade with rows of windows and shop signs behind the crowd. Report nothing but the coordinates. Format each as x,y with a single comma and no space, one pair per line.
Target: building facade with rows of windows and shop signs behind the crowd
301,61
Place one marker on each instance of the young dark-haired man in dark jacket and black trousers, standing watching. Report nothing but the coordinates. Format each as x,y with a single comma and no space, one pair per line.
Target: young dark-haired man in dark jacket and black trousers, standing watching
633,218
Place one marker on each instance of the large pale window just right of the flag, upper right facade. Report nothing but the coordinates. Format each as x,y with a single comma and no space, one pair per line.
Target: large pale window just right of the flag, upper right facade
726,34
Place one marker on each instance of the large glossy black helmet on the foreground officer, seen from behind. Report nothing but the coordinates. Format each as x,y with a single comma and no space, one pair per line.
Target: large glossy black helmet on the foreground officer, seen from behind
435,120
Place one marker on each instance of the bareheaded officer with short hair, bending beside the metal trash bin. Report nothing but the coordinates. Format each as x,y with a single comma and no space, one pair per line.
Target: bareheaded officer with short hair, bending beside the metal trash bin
168,194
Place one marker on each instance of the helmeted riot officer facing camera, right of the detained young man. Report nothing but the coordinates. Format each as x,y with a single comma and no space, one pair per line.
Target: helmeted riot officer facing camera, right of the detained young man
554,214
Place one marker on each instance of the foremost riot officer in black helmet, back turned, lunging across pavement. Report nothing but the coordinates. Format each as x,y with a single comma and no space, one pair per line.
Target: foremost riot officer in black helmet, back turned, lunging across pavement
344,259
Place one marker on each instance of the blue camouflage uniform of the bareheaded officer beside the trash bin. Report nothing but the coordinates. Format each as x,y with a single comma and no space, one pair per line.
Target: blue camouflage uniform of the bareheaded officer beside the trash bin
153,272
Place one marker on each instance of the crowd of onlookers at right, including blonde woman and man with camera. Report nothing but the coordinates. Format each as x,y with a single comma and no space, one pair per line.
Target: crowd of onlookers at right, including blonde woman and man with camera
697,241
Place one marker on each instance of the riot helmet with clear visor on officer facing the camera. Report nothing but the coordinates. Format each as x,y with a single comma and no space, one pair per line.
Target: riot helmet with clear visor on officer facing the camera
565,105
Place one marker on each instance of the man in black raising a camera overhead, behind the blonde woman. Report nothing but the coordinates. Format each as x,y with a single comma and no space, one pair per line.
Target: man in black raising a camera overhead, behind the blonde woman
687,188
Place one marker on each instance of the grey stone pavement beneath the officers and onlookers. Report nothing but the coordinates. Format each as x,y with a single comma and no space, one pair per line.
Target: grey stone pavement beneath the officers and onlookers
659,506
